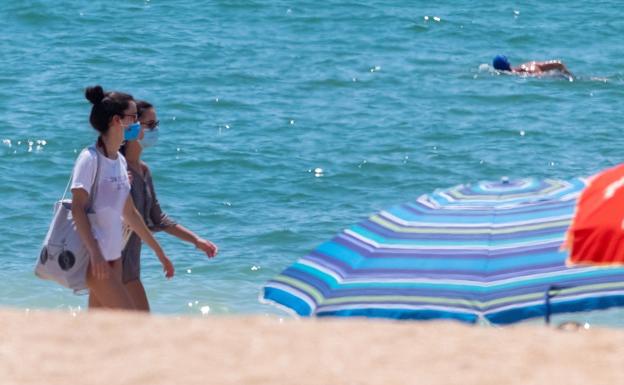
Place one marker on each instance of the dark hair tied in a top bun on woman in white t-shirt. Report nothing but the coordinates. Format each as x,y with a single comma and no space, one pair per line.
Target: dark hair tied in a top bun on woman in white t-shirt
105,106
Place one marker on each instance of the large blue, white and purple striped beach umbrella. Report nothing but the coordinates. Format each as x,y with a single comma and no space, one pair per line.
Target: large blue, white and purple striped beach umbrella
488,251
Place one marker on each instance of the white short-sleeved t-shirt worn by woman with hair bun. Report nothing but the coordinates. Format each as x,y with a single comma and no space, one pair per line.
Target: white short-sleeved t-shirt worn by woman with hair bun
110,197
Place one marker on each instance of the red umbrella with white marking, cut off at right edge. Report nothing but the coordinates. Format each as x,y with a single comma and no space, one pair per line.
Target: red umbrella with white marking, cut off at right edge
596,236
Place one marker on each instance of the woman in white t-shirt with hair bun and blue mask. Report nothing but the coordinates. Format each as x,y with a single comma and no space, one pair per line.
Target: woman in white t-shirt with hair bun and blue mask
114,116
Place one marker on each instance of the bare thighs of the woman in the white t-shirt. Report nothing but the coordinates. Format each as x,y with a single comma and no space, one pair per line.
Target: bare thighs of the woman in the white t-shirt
109,293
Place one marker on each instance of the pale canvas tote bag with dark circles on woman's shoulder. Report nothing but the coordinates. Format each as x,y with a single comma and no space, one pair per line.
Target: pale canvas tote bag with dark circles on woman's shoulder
64,258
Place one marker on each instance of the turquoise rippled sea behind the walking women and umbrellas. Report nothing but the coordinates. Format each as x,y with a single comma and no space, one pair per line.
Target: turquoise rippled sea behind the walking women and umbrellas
389,101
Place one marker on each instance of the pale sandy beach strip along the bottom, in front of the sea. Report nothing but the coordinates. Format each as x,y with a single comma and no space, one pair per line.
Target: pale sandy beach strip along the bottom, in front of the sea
40,347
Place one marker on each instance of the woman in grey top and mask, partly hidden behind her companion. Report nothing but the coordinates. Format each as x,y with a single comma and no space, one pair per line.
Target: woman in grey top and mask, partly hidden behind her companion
147,204
